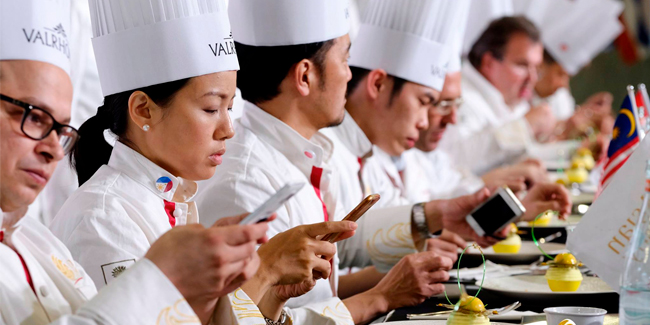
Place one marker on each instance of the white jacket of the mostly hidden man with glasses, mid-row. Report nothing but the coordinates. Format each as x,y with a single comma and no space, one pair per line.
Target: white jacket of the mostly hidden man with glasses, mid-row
432,176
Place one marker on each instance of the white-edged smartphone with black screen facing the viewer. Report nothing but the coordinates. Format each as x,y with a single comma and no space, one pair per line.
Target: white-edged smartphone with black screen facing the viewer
500,210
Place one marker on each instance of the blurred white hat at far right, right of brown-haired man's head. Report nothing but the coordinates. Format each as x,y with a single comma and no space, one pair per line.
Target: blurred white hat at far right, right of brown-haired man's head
574,31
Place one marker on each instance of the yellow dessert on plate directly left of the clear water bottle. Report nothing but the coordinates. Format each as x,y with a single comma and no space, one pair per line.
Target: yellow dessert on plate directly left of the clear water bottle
563,273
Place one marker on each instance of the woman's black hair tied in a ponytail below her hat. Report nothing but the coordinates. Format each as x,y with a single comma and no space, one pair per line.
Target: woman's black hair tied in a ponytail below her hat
92,151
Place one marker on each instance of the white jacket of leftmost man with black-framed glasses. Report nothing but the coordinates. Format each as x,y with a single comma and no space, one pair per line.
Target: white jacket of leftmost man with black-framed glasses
63,293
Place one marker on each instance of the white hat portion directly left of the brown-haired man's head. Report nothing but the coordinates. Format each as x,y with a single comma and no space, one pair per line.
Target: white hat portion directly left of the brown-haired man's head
481,14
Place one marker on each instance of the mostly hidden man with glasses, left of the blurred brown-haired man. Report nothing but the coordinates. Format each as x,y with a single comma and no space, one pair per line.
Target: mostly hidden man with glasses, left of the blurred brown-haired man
428,174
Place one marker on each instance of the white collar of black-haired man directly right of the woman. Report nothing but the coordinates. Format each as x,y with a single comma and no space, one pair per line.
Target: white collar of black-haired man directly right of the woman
301,152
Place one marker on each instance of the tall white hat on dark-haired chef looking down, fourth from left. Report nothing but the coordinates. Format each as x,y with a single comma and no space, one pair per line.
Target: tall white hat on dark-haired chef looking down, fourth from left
407,38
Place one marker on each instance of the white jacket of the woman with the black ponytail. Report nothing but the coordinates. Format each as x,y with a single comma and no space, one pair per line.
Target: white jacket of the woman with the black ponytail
111,221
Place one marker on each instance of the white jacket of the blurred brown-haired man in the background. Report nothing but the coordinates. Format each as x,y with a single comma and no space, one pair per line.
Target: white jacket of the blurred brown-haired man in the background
489,133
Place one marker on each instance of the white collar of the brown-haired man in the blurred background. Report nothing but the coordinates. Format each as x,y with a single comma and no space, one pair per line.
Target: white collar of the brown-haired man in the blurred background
492,96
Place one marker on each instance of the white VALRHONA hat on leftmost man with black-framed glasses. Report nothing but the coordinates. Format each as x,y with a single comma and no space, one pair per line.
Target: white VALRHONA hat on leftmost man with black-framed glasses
35,30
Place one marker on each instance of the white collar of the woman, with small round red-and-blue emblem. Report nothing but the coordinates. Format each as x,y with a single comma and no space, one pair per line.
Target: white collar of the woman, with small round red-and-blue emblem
153,177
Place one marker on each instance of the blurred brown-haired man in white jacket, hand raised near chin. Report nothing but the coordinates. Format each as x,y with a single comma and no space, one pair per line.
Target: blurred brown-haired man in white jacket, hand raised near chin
497,84
